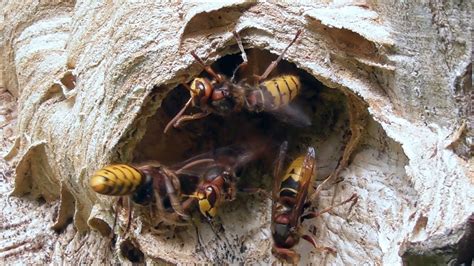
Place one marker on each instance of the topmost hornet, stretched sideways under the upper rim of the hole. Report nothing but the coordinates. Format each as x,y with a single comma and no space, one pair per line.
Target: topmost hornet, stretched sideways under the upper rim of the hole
223,96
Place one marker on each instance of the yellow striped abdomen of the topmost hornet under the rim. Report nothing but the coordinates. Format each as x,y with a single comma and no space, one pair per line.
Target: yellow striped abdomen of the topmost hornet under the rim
283,90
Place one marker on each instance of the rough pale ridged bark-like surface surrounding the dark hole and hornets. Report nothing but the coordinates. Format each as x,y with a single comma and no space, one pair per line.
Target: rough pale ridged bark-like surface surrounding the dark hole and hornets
90,79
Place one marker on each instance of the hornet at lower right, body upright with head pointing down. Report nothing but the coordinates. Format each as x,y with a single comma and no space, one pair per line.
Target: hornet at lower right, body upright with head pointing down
290,201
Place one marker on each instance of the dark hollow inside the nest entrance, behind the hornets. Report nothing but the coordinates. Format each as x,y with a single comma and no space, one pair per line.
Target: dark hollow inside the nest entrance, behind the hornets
326,107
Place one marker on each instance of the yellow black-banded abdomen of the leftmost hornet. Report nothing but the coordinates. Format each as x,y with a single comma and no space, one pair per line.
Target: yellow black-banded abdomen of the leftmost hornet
116,180
